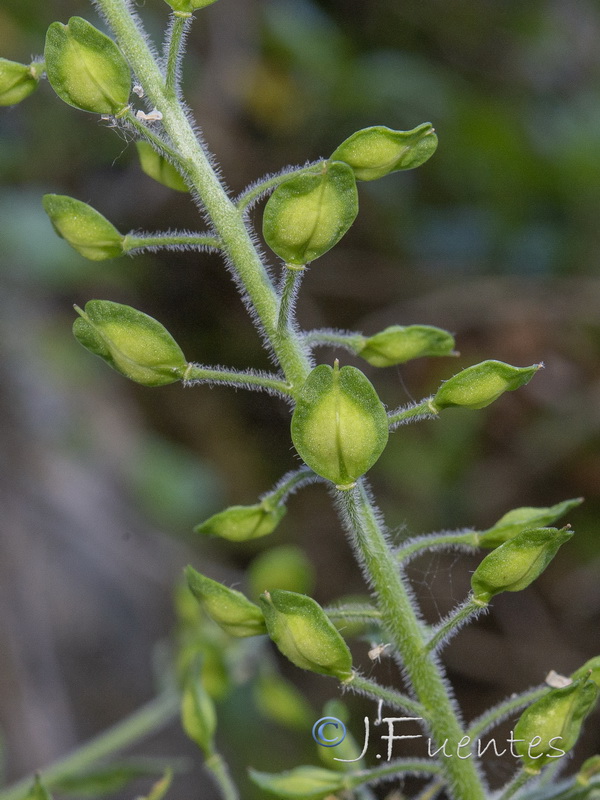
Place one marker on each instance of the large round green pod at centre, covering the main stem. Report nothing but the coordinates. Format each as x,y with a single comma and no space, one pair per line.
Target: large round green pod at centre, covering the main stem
339,426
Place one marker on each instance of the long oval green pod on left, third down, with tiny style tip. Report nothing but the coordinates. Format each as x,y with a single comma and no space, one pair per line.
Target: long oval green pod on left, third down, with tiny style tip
131,342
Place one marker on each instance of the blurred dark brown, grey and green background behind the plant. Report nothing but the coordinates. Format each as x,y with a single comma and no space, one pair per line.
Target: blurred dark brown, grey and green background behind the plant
495,239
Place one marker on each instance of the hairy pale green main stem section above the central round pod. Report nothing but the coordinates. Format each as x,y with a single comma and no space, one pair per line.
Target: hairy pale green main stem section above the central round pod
243,258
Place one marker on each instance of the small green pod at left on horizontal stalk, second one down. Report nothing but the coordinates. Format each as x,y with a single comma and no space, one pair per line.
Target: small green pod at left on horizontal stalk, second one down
84,228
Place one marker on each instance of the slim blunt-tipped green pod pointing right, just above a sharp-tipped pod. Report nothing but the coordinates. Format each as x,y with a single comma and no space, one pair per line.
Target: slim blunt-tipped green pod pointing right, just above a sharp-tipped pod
397,344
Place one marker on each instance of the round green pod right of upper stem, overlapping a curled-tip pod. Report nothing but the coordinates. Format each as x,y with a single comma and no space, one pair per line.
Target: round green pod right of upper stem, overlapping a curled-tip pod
308,214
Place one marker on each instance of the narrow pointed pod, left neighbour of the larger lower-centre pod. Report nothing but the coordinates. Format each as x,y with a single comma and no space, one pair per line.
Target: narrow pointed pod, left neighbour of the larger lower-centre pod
227,607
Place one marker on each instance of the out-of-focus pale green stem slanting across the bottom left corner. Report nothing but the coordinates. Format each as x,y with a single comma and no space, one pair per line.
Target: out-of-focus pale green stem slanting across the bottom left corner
147,720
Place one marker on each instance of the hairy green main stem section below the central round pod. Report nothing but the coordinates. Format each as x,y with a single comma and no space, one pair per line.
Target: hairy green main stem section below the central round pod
408,636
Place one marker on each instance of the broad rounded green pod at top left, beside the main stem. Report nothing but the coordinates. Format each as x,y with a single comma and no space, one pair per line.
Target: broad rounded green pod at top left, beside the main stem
86,68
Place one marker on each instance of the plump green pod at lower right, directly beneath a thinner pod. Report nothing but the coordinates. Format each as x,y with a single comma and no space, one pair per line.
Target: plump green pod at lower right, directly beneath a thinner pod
518,562
